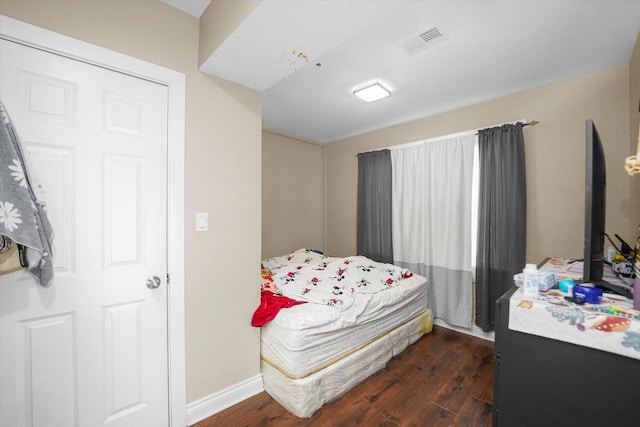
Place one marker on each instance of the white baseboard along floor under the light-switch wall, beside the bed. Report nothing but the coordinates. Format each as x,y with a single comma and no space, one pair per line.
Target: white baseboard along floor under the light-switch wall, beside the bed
223,399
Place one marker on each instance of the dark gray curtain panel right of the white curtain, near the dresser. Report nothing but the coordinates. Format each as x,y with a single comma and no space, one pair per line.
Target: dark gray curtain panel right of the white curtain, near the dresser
501,217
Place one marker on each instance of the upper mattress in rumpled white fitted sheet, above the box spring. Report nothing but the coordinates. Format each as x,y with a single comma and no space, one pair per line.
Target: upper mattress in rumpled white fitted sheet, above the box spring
305,338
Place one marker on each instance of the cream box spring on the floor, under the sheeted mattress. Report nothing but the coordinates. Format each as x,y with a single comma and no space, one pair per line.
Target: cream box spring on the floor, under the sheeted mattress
305,395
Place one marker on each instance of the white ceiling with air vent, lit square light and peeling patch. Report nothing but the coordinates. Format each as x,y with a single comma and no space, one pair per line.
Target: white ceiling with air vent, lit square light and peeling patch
307,56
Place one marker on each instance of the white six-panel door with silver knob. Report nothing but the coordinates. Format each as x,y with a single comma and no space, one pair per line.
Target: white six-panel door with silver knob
91,350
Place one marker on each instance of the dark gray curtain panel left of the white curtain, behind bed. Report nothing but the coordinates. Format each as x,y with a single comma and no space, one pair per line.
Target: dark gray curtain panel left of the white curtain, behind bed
374,206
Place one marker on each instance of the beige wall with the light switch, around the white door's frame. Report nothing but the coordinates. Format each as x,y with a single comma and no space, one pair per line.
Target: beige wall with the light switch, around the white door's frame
223,161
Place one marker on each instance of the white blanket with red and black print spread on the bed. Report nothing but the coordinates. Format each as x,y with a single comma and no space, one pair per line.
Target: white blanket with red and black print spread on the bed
306,275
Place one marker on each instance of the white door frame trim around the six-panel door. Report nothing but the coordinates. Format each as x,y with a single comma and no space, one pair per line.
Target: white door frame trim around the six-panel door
36,37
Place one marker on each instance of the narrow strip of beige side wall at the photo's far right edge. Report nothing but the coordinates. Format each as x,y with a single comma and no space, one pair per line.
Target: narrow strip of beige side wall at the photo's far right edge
634,121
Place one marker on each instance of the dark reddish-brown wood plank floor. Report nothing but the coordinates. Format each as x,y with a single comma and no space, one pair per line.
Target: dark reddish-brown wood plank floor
444,379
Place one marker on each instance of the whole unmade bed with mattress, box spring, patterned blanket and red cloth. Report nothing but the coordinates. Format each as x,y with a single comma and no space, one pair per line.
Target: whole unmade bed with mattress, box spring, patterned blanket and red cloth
332,322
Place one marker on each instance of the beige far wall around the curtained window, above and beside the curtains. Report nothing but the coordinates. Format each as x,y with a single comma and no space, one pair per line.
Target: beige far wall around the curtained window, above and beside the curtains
555,159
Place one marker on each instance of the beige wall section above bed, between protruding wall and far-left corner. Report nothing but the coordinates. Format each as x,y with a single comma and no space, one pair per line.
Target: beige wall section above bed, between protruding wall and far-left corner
292,194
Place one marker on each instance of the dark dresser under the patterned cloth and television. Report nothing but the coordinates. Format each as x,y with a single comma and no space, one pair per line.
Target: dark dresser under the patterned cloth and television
546,382
